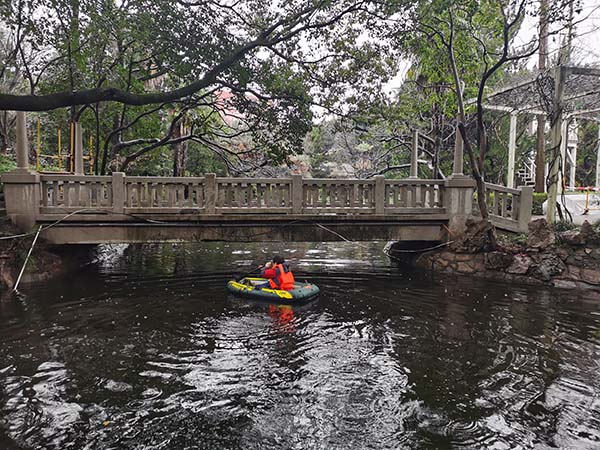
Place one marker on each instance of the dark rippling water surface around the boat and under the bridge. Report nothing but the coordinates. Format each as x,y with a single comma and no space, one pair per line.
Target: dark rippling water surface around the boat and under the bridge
145,350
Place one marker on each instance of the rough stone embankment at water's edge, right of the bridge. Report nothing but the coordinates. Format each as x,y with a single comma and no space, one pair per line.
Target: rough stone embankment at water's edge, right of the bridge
570,259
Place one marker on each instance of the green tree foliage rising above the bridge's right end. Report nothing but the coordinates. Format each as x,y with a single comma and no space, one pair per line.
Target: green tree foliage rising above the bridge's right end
427,100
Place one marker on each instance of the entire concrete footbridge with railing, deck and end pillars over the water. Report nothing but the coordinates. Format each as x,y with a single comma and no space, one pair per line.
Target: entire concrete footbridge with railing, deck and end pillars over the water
83,209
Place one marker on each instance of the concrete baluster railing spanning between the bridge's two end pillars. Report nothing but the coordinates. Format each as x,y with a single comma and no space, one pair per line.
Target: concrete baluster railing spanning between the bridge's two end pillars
60,194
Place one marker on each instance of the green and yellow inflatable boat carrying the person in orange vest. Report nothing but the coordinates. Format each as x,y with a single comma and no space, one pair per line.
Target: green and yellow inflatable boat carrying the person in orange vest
246,288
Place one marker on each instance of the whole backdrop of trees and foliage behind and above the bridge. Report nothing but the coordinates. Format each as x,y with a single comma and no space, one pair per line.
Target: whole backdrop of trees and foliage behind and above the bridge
176,88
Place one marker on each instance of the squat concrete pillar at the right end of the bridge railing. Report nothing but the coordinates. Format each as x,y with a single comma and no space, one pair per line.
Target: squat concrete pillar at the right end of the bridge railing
459,201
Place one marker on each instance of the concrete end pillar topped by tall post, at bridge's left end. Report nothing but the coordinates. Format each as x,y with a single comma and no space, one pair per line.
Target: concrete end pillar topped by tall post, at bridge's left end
22,186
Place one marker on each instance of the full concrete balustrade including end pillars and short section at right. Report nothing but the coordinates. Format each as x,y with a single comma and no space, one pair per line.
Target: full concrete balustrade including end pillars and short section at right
33,197
